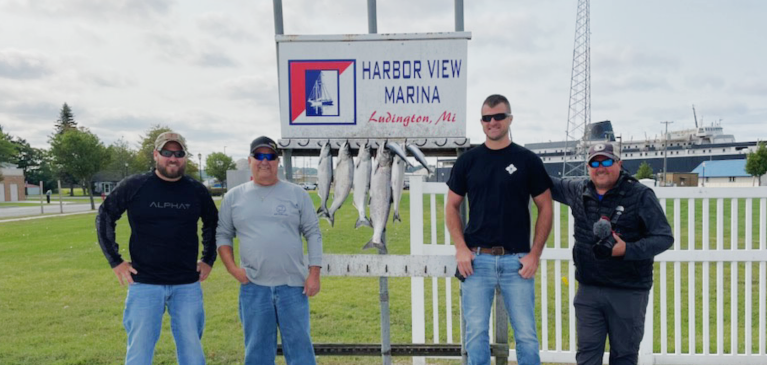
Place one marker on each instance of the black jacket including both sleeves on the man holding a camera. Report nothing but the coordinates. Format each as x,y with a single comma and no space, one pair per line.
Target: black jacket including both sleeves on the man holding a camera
642,225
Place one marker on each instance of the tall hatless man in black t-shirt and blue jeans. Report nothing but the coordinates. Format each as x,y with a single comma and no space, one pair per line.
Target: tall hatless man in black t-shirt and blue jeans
499,178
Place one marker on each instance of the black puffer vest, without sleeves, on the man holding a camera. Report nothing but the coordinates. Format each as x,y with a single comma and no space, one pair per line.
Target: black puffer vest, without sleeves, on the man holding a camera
612,272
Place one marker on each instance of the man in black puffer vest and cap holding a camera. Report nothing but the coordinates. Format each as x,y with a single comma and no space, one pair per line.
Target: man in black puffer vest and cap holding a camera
619,228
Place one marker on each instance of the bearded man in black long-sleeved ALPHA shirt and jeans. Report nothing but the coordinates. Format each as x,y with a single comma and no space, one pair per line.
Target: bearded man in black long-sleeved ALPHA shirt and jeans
163,207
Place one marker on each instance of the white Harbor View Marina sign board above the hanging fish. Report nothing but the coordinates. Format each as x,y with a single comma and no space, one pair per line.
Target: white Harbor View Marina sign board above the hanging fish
373,86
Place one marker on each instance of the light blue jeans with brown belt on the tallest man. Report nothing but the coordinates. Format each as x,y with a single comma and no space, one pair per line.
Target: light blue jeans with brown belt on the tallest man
477,294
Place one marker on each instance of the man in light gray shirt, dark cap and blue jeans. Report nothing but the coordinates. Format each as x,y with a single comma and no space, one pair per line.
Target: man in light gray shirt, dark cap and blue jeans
269,216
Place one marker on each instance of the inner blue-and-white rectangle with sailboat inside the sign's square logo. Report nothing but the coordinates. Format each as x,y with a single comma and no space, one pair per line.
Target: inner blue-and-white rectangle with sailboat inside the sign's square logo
322,89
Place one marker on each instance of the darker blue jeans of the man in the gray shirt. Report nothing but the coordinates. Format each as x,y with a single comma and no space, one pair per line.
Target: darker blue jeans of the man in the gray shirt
265,308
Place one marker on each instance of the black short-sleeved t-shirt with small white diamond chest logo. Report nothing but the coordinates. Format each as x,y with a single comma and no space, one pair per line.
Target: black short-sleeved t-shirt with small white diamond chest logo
499,184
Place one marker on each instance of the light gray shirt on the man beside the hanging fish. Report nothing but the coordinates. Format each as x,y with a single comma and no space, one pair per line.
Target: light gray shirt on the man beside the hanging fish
269,220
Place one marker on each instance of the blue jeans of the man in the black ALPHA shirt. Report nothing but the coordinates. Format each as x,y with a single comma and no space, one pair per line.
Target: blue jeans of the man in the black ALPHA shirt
144,308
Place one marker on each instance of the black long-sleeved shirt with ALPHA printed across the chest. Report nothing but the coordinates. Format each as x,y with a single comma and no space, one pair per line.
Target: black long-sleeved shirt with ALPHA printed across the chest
163,216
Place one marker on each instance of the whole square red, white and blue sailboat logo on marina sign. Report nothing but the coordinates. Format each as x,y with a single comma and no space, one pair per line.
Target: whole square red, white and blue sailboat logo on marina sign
322,92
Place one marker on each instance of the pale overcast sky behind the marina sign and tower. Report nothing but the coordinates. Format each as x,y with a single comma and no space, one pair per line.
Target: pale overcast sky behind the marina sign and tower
208,68
